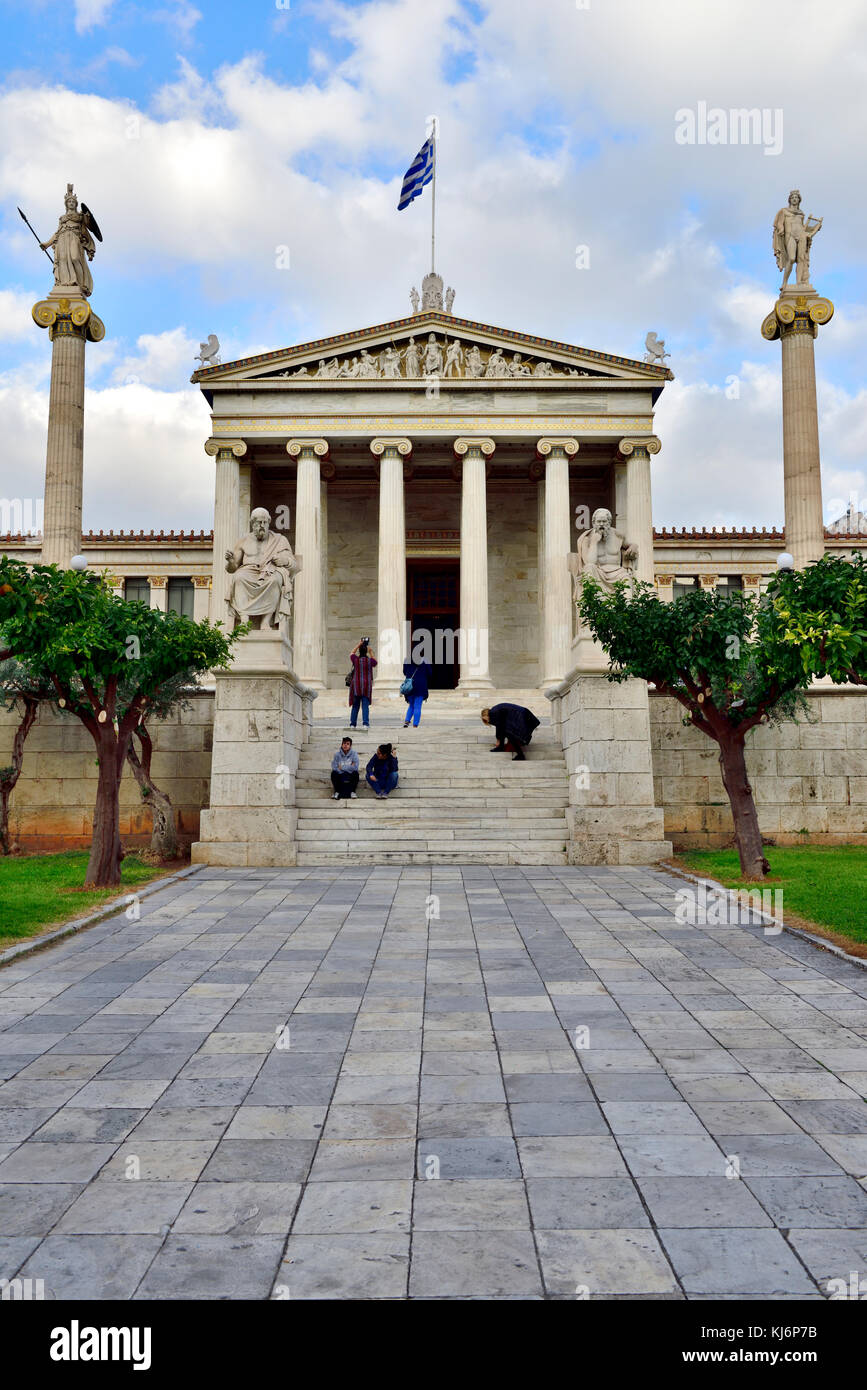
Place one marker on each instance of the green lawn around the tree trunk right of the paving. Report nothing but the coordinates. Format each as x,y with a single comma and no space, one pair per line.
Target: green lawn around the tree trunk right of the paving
822,885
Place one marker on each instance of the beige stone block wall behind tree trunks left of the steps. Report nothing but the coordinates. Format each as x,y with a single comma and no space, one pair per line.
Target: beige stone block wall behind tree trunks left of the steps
52,806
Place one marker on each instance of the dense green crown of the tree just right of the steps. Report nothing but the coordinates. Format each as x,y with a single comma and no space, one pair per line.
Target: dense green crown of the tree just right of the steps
713,651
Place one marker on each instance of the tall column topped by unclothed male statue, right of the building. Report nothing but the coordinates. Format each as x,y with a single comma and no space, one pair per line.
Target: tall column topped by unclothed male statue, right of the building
795,320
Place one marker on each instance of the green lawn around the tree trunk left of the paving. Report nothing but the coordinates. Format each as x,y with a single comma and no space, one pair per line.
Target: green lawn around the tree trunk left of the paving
40,892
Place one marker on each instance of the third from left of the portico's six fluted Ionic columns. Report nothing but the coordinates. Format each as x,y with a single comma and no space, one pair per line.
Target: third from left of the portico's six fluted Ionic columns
391,586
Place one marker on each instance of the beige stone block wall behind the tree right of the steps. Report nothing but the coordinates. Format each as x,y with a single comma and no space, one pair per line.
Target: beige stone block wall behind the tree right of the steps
809,779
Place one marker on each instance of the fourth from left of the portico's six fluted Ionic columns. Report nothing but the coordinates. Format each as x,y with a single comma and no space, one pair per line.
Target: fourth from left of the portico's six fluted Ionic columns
474,657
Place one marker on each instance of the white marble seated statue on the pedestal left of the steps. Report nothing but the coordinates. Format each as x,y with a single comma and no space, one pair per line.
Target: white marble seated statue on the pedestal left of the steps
263,568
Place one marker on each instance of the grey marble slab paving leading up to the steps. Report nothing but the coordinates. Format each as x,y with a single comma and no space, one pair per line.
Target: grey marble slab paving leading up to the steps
288,1084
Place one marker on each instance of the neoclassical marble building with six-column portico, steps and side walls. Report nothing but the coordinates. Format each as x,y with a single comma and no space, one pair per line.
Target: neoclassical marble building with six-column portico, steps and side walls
434,476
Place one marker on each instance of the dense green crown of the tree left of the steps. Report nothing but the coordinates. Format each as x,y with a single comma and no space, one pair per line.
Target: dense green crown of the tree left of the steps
97,651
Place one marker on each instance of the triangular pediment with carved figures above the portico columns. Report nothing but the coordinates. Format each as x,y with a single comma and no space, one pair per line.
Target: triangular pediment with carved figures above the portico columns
431,344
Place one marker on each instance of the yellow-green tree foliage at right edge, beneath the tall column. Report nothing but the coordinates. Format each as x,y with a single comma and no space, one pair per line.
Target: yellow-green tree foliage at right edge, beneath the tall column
820,618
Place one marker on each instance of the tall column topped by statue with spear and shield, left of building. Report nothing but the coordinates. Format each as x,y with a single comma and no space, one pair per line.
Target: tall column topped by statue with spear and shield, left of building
72,325
